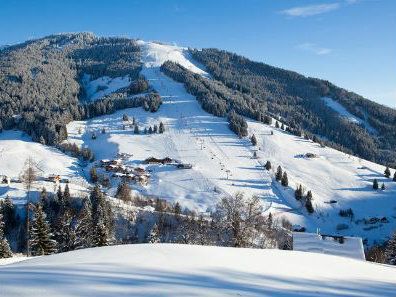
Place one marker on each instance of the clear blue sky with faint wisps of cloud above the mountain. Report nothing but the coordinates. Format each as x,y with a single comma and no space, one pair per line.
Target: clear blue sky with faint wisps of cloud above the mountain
351,43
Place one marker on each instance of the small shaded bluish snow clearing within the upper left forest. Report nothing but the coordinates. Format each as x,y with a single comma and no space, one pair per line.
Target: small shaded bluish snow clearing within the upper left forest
103,86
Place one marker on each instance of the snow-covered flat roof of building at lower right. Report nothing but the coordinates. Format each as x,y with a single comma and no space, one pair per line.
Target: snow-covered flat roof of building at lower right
351,247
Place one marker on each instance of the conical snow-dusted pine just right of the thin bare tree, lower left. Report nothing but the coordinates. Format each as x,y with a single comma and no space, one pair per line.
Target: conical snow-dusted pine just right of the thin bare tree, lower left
41,241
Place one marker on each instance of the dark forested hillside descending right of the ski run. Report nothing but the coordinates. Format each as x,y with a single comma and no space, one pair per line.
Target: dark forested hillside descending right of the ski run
298,100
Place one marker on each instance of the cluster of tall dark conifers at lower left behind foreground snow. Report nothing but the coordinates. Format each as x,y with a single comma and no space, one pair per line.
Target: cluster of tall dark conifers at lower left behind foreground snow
59,223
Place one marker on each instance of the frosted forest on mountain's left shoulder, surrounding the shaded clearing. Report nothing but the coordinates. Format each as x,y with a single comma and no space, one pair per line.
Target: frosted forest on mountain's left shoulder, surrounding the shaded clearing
39,82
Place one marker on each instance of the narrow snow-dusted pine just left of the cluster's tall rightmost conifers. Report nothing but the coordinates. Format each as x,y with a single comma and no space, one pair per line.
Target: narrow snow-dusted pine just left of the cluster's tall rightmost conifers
84,226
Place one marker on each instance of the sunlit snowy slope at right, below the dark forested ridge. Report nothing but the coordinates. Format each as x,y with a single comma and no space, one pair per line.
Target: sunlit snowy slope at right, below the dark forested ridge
332,175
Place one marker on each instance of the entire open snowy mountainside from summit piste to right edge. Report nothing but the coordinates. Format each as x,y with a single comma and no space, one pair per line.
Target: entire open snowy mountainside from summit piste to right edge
223,164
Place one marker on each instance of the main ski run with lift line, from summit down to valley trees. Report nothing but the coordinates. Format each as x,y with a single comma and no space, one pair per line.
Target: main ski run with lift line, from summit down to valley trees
192,136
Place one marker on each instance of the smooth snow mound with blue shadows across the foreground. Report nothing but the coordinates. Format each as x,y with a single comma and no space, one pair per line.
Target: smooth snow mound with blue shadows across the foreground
185,270
